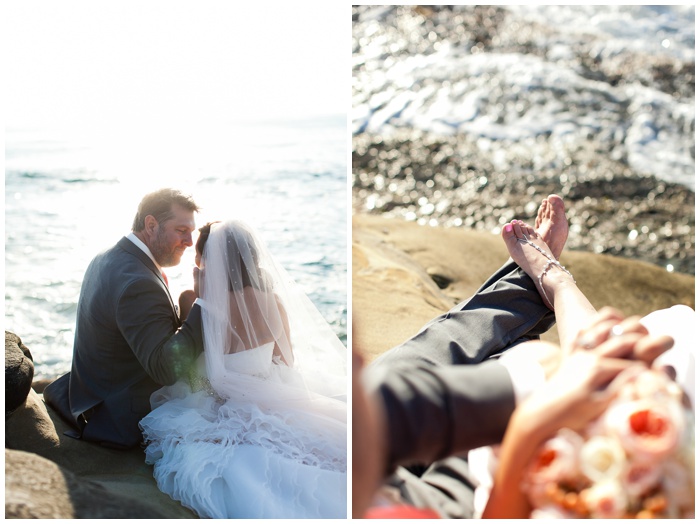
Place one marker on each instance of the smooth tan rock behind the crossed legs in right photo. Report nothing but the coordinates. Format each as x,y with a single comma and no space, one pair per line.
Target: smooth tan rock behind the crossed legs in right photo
397,266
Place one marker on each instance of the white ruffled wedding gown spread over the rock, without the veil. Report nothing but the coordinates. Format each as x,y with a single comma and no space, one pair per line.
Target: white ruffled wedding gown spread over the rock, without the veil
268,451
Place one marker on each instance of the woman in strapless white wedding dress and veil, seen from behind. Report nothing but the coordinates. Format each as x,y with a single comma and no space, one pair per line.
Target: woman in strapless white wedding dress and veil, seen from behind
260,431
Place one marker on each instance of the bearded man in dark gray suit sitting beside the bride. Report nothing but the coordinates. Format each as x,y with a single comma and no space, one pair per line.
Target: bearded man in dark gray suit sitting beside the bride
129,338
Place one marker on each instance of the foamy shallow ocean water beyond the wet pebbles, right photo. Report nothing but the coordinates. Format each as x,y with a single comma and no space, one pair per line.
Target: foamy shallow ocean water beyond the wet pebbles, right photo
554,78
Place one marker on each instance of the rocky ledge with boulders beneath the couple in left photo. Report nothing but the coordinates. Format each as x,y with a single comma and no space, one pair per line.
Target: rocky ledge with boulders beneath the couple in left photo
49,475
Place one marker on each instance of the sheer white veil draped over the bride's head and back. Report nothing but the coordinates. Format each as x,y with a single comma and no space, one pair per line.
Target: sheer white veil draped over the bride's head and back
250,302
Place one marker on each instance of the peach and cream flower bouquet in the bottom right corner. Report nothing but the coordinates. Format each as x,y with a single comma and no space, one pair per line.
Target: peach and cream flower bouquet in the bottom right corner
637,460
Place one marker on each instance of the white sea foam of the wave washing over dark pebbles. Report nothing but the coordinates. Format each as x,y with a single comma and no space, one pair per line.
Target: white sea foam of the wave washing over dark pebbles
511,97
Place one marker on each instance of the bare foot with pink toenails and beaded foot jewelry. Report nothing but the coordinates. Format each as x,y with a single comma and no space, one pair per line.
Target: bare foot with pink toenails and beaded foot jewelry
529,250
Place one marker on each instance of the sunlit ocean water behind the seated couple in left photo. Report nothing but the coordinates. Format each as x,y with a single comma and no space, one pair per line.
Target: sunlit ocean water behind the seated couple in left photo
67,197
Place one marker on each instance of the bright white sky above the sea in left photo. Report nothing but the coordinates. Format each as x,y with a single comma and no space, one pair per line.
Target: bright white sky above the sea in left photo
100,67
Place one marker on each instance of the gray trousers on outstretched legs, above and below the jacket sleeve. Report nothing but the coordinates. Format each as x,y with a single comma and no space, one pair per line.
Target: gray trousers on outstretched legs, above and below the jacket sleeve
504,312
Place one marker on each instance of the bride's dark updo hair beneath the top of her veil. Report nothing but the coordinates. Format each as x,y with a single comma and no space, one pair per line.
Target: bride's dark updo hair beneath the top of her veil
242,256
